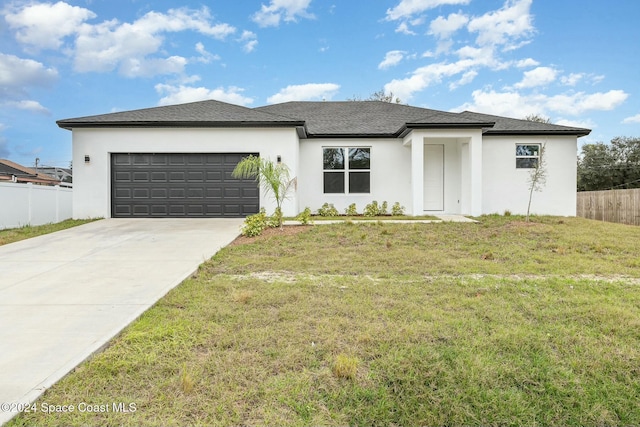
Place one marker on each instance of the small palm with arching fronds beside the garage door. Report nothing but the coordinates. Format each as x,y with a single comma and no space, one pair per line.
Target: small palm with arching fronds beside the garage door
273,177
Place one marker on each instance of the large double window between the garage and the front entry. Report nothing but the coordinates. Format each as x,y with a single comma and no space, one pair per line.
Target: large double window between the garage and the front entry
351,174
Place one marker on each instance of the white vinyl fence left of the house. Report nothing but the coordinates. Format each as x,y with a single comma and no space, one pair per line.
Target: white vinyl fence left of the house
29,204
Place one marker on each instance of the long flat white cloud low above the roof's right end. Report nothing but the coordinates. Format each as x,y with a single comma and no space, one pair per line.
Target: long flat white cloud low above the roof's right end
515,104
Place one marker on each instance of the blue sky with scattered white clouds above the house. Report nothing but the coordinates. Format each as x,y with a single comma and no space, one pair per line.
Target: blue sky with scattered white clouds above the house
574,61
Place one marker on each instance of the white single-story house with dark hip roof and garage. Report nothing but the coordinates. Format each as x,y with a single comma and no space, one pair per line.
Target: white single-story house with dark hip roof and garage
176,161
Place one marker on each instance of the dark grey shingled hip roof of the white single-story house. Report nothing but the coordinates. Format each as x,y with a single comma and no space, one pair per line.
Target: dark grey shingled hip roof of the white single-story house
319,119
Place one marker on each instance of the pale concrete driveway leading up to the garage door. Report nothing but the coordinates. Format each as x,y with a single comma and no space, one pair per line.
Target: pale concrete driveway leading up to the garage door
64,295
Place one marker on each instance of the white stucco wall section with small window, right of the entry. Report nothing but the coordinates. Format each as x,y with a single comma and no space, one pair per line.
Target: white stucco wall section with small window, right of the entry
507,188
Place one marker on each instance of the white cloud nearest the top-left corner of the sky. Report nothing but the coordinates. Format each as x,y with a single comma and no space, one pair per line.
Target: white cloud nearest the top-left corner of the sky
44,25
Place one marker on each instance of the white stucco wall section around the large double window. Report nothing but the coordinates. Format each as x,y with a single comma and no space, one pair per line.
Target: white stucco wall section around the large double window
390,174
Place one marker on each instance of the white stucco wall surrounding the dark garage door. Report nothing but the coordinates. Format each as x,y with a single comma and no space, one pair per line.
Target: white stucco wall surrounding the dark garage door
91,194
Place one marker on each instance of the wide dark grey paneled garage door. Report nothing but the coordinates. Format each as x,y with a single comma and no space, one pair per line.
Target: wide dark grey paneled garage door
180,185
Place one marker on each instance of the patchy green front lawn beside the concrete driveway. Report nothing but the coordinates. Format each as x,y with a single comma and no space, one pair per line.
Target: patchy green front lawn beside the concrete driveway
496,323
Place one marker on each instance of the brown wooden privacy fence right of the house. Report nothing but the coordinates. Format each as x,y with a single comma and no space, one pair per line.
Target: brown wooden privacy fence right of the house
622,206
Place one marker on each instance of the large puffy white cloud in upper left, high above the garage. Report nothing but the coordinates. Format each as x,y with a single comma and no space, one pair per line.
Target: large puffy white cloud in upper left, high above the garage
126,46
